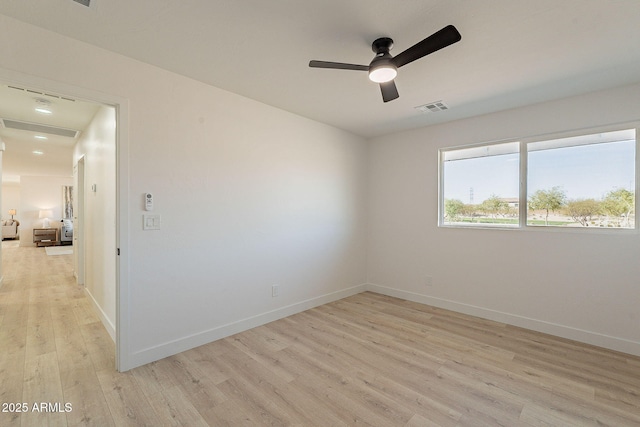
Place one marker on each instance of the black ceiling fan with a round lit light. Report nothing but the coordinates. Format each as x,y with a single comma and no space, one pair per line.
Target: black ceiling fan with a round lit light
384,67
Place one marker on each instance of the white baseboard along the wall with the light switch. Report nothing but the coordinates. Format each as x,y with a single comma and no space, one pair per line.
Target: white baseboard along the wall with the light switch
170,348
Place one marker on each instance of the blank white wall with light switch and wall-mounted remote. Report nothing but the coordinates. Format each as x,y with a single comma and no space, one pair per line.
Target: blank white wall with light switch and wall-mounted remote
249,196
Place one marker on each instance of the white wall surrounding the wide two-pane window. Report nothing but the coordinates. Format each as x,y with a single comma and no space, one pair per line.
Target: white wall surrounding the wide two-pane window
578,285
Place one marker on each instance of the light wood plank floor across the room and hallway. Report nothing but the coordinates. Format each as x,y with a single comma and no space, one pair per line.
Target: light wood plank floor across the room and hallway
365,360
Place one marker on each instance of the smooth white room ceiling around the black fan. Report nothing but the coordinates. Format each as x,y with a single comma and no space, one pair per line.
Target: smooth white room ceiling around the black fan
512,53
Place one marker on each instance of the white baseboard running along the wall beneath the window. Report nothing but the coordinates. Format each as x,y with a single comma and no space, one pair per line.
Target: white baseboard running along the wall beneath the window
588,337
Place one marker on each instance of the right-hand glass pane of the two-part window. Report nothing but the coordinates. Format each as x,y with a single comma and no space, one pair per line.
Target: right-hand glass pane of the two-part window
585,181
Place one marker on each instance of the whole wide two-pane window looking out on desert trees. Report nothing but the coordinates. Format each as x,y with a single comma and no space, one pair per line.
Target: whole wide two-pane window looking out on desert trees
585,181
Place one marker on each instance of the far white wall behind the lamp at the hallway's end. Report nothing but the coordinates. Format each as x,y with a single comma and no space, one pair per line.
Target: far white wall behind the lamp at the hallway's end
39,192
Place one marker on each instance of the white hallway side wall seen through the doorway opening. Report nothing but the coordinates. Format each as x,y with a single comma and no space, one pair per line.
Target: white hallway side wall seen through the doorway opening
97,145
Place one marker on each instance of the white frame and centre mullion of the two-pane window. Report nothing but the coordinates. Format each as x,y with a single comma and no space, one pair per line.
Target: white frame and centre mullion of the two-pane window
523,184
